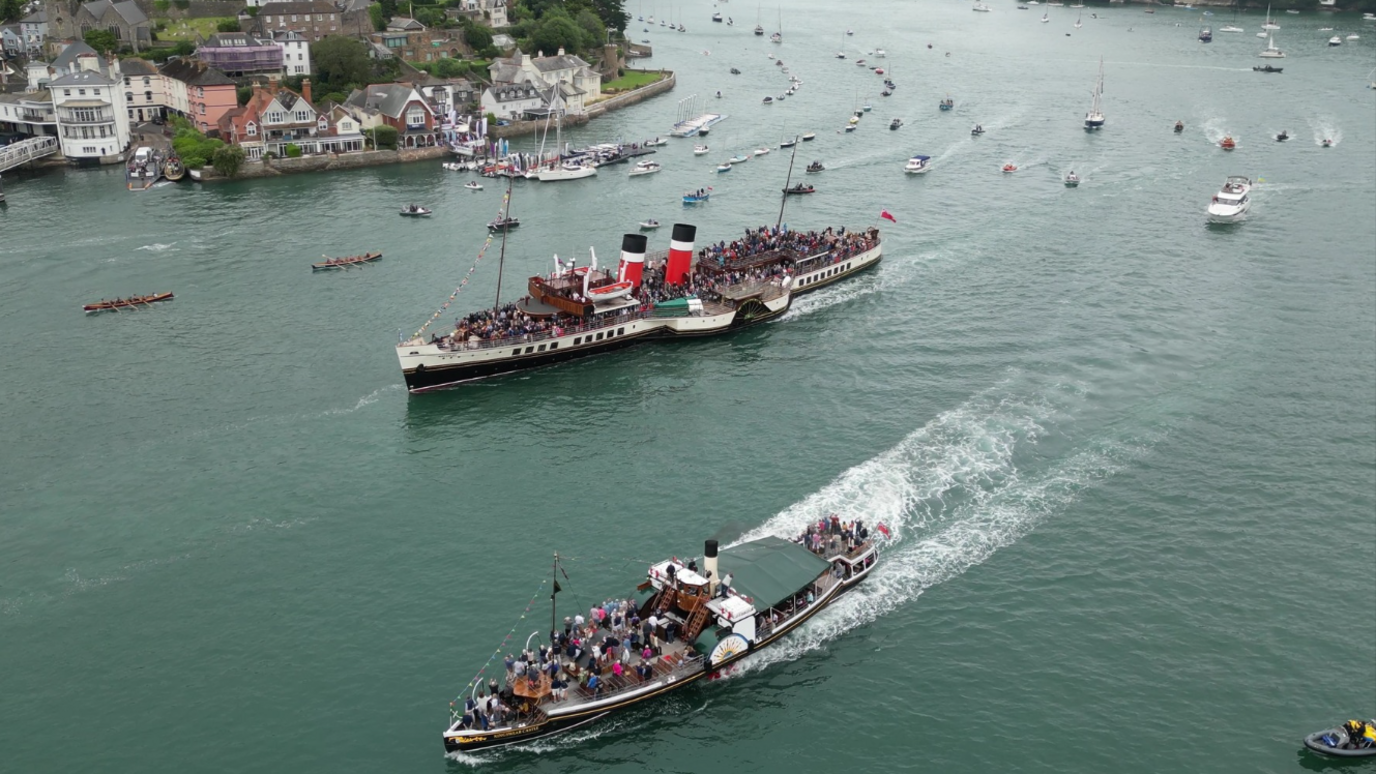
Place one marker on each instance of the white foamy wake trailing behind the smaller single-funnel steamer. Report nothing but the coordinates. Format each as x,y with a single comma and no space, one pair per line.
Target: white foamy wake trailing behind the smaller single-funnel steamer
952,494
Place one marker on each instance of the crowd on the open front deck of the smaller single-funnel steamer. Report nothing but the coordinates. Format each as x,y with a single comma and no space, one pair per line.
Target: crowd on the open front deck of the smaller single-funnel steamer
608,651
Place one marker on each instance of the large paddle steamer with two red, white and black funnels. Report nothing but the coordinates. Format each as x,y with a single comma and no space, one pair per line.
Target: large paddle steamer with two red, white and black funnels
594,323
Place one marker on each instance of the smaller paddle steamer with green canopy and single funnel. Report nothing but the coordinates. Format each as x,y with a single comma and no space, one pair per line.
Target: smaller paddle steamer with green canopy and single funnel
701,625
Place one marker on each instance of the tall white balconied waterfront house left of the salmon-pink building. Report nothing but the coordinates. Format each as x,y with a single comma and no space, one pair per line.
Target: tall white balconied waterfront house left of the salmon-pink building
93,122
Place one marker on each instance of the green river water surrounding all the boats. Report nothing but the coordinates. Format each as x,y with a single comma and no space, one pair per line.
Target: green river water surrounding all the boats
1129,461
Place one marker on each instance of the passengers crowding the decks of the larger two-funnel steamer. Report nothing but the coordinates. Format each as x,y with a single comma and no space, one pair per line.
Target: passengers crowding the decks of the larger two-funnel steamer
508,323
